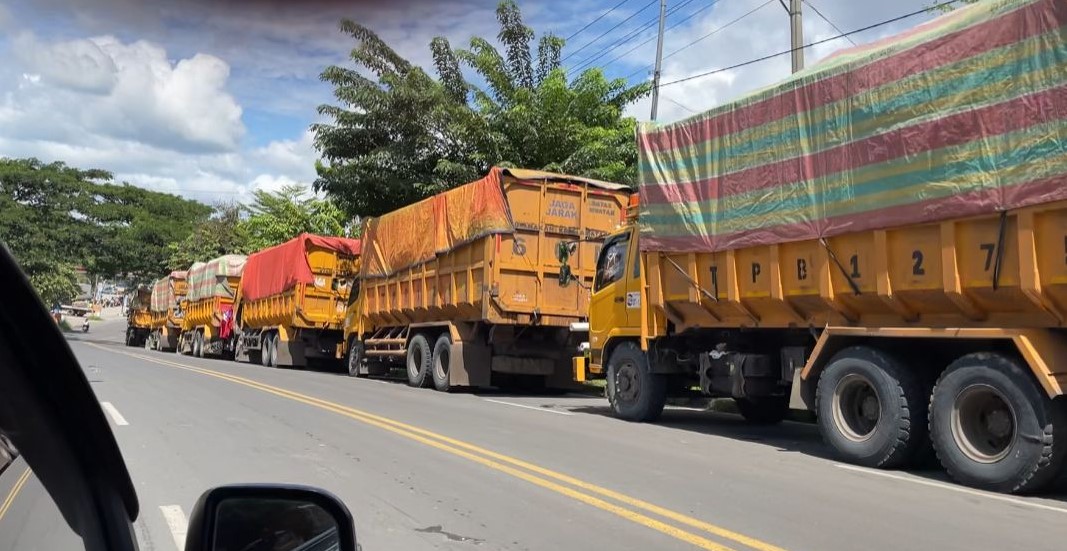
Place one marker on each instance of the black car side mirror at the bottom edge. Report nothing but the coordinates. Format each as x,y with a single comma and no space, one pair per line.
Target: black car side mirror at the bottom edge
267,517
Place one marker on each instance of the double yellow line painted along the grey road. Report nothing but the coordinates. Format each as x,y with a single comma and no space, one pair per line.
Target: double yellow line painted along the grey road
547,479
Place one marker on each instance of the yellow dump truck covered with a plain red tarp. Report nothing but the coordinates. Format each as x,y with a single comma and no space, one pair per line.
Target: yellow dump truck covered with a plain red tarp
292,301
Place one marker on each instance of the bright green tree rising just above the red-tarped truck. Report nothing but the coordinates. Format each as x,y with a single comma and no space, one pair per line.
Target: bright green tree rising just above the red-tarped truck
278,217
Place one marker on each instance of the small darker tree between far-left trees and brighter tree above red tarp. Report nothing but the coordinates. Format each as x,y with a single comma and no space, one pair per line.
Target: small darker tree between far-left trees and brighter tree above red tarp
222,233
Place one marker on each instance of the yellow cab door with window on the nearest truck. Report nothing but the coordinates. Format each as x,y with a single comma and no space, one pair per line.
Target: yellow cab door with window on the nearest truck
608,307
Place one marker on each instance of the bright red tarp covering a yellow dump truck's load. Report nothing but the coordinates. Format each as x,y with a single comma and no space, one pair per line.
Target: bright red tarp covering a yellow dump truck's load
280,269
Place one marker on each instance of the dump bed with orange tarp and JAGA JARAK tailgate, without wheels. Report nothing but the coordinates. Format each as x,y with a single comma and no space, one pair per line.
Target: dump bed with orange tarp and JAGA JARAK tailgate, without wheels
490,255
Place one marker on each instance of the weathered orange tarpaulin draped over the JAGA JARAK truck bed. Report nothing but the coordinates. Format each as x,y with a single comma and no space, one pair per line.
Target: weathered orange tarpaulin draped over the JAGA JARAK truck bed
418,233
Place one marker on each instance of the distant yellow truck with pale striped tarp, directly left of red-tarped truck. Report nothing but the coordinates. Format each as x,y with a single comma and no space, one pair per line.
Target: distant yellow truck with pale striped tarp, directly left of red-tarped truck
209,326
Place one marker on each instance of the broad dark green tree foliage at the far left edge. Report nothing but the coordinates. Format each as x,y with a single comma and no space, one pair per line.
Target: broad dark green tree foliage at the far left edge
55,218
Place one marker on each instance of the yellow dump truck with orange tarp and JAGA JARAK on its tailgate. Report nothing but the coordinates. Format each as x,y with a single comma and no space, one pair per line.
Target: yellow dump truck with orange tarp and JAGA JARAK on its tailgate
460,289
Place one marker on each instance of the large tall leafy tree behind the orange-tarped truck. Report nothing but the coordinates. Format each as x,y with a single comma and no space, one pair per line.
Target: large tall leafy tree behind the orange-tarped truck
399,134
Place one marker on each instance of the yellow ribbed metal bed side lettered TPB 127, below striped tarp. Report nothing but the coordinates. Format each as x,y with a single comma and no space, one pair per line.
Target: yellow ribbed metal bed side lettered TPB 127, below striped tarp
995,271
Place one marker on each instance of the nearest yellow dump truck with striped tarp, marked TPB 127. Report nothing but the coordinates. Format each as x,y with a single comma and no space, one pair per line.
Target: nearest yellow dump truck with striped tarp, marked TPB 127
882,240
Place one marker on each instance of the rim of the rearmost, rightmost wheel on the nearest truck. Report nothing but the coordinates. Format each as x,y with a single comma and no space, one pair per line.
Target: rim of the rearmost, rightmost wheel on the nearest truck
983,424
